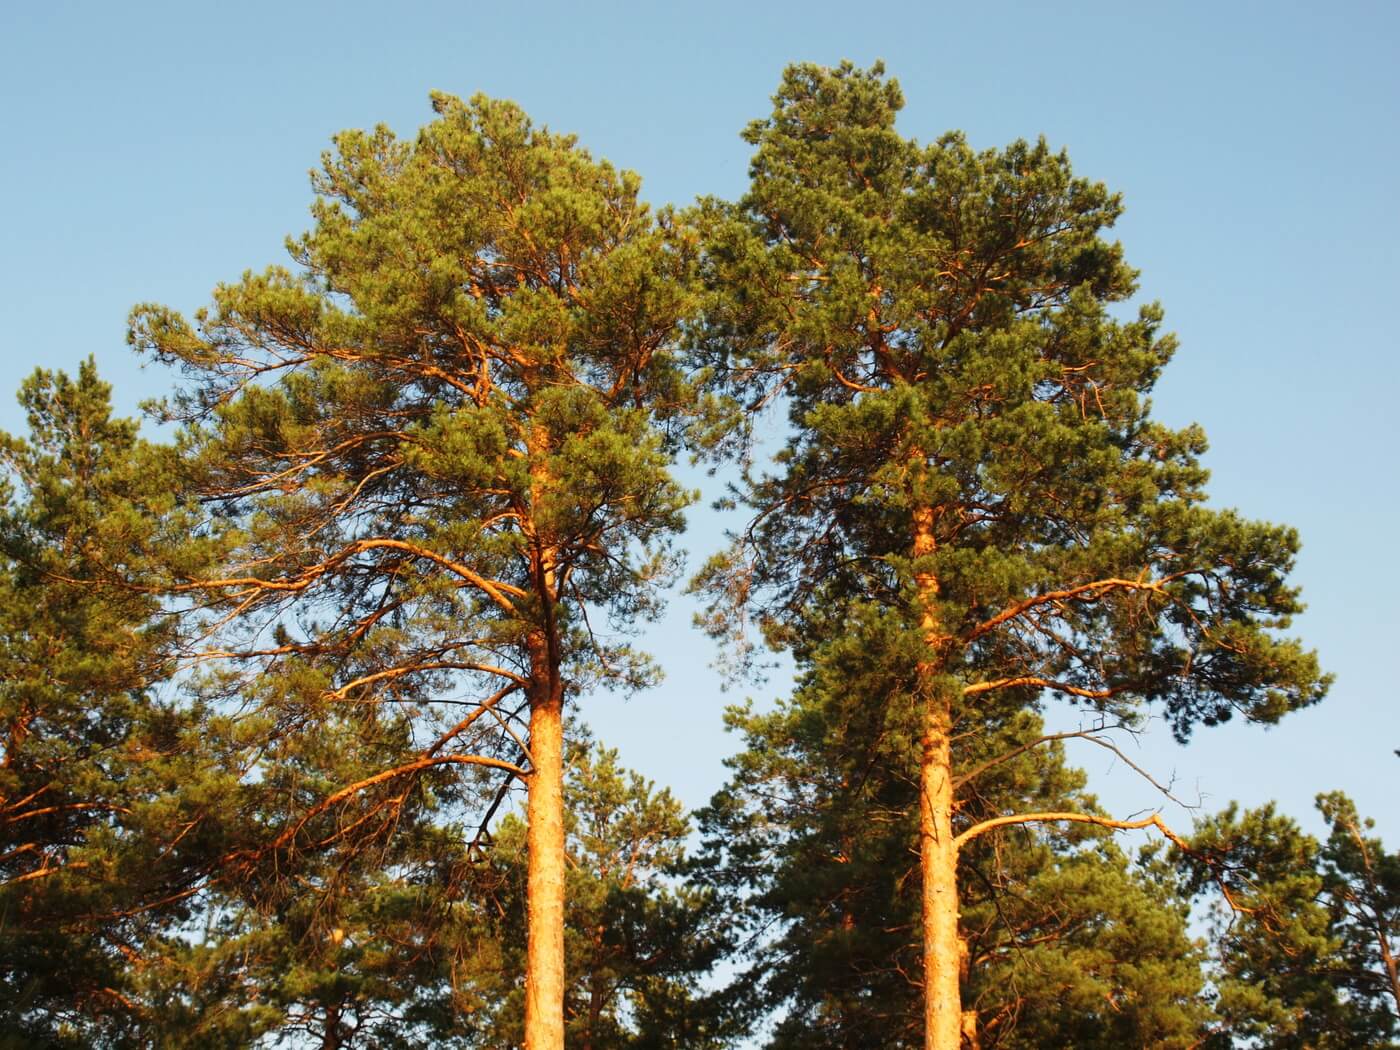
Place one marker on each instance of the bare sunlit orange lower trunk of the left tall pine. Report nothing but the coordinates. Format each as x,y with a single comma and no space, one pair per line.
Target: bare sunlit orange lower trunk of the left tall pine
545,880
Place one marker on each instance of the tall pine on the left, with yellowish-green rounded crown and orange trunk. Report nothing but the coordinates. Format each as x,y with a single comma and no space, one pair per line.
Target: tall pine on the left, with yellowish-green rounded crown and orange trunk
435,458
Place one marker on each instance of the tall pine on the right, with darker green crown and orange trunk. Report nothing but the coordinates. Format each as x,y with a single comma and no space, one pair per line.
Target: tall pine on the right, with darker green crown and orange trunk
971,463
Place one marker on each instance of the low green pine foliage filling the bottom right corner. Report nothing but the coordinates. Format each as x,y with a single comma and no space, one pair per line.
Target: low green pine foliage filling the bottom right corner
1307,932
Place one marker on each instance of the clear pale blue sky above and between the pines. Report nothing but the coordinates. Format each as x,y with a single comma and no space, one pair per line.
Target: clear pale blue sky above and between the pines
155,149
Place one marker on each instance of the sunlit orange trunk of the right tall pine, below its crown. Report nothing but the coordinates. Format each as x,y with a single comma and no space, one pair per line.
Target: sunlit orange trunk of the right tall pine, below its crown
937,852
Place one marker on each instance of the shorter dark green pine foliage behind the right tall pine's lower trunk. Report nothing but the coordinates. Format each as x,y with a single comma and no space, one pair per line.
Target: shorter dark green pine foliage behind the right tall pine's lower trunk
815,842
